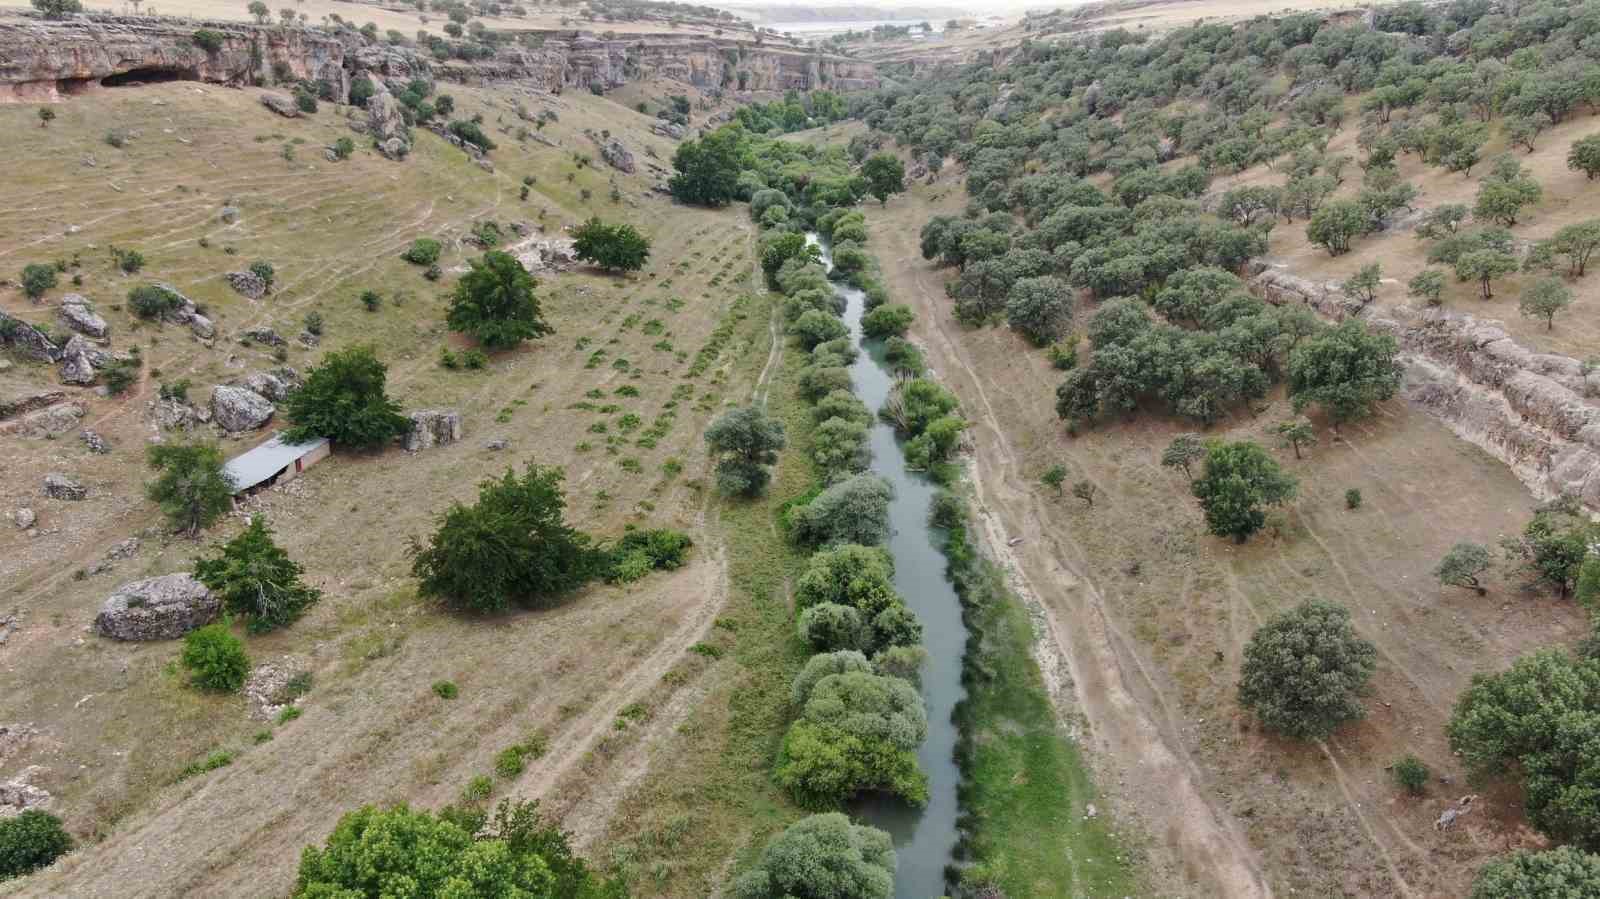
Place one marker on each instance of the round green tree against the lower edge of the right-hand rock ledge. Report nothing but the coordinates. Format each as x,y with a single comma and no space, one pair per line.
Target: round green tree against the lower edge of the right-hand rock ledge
1346,370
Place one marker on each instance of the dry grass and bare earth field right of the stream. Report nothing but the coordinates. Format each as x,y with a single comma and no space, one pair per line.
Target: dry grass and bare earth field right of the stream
1154,615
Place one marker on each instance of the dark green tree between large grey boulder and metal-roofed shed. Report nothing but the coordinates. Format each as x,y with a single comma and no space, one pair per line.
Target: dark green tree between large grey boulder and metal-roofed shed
257,580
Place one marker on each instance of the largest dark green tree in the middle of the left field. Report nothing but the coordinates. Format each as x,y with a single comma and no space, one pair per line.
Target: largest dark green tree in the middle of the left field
508,548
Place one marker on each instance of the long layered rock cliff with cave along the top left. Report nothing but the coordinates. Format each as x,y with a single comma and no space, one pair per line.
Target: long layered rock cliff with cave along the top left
42,60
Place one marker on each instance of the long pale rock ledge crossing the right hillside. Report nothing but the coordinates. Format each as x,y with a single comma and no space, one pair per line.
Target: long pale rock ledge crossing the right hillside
1534,412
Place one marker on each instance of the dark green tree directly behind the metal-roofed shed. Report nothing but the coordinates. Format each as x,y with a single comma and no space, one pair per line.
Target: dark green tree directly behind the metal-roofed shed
345,401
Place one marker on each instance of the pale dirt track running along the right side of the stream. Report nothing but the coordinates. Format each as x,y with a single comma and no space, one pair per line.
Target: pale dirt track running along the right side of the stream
1106,679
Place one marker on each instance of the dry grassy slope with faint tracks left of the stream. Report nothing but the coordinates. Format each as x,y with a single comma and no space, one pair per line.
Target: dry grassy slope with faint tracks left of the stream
618,398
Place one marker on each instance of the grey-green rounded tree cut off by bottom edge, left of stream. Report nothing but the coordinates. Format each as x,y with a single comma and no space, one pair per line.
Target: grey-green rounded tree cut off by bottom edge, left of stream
823,857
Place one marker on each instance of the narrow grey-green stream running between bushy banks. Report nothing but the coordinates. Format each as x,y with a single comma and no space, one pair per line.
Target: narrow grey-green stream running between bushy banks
924,837
